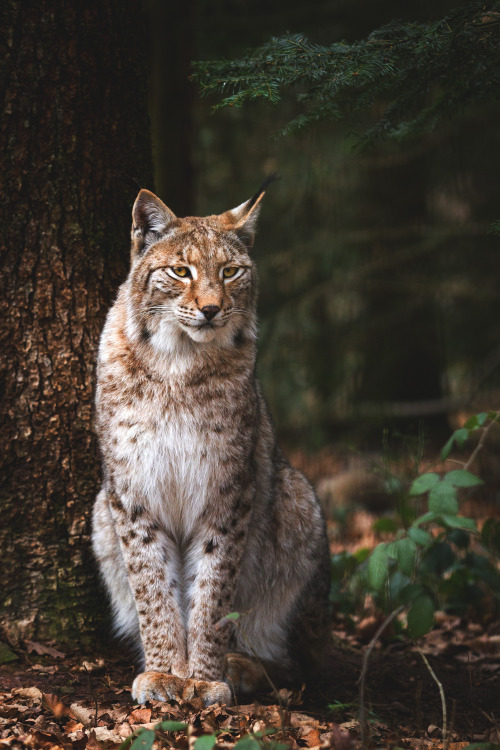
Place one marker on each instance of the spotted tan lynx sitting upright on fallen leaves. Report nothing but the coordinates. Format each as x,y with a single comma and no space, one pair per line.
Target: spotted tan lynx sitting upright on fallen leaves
200,514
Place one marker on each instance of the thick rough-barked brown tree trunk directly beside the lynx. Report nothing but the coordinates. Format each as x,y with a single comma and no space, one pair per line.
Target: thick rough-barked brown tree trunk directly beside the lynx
74,134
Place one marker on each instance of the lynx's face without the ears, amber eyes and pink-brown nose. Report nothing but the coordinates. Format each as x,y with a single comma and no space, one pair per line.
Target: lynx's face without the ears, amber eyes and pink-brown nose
198,283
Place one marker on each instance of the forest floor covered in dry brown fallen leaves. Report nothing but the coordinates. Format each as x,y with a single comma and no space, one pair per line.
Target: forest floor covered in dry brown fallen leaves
51,697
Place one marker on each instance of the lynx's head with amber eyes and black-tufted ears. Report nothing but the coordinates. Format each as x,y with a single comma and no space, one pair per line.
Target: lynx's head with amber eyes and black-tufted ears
192,279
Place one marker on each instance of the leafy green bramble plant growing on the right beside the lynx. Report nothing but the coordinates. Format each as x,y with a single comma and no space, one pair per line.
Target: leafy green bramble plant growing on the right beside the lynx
436,559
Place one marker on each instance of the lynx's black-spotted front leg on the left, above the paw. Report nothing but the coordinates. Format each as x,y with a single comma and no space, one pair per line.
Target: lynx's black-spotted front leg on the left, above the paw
152,580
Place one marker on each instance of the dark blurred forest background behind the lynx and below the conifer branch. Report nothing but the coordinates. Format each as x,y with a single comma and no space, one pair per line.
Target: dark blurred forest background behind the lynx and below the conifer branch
378,269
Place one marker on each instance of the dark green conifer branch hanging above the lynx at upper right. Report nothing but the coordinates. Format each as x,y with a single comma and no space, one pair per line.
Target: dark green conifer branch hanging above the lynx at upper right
422,73
